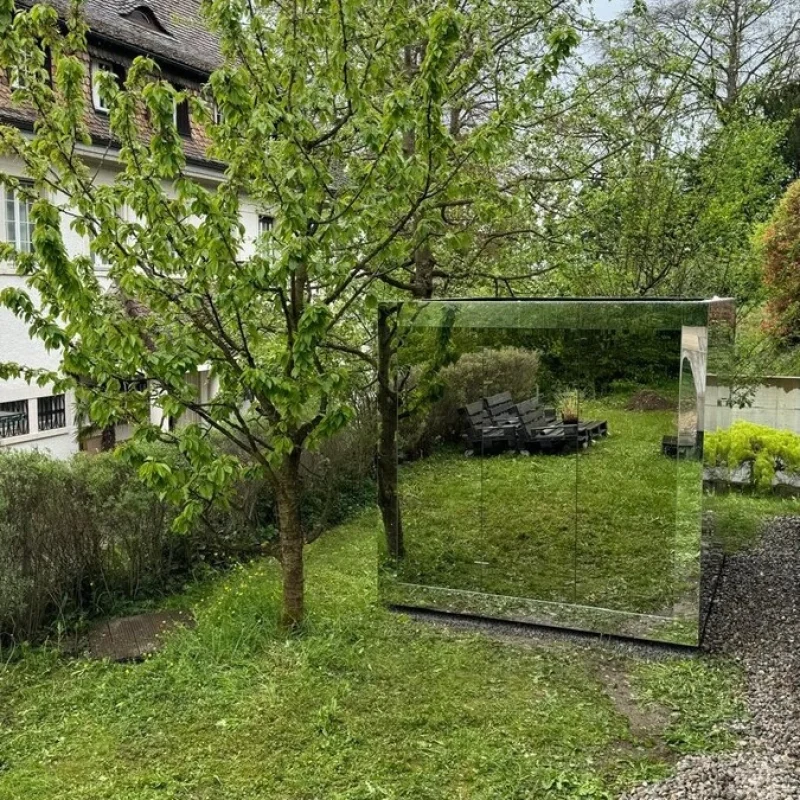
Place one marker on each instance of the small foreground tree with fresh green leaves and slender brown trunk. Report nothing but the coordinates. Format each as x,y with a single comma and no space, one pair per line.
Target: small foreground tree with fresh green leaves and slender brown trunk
360,125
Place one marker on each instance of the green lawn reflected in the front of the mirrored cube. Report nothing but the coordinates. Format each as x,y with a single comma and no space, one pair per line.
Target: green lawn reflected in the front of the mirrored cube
615,526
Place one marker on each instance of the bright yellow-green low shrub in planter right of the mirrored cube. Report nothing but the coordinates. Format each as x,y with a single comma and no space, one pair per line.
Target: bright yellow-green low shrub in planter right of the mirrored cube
766,448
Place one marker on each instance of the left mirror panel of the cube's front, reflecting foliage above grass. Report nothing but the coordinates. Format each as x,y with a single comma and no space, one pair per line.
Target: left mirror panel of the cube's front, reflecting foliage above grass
440,454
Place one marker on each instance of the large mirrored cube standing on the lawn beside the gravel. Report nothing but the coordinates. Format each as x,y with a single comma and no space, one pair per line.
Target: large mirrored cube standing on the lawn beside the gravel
541,461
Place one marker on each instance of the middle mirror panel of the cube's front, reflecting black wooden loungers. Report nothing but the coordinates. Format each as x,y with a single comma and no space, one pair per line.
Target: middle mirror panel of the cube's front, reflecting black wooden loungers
529,476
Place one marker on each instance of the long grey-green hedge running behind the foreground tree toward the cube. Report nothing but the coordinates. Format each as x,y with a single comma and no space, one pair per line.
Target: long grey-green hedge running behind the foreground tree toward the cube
79,538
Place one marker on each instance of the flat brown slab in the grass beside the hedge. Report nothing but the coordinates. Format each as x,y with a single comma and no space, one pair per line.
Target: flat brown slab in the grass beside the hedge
133,638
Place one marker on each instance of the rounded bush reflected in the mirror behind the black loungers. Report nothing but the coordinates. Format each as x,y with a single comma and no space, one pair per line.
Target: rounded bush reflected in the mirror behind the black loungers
474,375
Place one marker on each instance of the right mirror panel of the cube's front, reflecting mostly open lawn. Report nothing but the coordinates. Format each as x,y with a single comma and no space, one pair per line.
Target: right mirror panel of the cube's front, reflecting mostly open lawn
627,489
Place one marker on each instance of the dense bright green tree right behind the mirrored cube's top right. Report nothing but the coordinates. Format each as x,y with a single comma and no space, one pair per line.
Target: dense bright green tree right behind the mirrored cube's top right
680,222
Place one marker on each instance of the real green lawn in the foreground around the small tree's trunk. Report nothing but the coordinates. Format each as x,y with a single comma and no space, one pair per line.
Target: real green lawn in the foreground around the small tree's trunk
362,704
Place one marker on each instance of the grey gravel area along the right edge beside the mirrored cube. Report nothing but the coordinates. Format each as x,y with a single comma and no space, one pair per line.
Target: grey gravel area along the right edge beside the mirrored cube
756,621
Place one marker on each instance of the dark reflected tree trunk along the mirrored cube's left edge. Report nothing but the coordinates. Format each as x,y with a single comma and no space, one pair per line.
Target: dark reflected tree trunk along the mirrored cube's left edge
387,439
